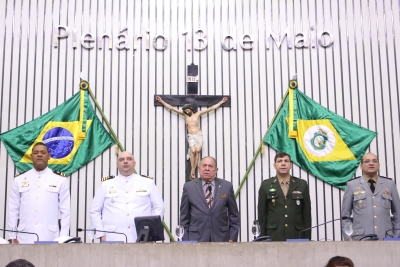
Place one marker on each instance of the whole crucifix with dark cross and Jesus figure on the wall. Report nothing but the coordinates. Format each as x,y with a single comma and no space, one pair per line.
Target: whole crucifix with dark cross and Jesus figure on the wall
190,102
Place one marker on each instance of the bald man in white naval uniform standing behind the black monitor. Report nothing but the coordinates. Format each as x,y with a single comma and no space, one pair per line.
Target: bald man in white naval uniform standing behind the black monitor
122,198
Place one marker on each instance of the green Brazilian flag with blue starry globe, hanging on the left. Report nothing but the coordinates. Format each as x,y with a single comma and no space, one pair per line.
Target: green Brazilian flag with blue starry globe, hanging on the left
72,132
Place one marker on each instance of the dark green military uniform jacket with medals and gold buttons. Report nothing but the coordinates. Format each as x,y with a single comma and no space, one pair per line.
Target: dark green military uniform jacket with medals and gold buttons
284,217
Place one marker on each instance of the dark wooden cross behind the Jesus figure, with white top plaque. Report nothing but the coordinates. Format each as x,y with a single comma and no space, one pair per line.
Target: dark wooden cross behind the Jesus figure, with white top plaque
193,98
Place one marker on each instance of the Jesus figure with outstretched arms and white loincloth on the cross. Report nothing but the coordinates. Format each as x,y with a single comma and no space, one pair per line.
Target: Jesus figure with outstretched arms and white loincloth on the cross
194,136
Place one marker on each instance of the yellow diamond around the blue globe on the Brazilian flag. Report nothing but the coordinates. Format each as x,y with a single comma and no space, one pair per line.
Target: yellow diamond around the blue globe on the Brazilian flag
62,139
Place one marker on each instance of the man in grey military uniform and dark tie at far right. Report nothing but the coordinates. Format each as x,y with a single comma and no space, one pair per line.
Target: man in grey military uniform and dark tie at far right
371,198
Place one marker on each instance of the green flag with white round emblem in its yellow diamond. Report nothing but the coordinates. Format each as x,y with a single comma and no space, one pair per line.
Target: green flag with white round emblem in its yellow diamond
317,139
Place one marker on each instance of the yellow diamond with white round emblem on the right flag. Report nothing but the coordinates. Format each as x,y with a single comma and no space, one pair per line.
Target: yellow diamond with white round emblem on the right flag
320,141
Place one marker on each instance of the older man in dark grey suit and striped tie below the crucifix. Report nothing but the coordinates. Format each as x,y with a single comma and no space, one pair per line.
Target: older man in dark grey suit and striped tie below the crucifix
209,212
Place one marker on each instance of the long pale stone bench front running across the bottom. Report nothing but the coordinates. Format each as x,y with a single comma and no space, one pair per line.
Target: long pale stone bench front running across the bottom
271,254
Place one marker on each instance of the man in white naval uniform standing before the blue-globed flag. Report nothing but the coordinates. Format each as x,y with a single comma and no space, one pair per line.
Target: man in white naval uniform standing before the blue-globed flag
37,197
